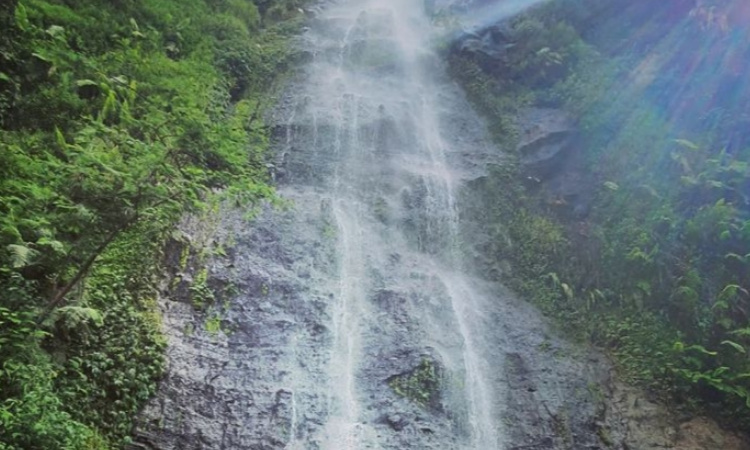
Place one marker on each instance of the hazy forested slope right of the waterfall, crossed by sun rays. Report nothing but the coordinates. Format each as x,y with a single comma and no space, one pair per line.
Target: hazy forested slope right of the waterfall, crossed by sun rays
655,267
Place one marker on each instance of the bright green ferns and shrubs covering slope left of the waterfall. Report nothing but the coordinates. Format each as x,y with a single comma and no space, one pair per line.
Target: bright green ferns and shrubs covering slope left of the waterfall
116,118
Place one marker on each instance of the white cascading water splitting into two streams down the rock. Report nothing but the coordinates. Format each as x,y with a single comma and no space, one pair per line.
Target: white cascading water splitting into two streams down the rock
372,95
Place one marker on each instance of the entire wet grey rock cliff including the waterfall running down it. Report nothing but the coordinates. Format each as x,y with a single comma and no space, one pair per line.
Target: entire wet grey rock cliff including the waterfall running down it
345,319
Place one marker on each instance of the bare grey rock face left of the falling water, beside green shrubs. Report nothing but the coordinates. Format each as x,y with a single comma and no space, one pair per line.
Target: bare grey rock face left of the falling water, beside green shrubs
225,387
